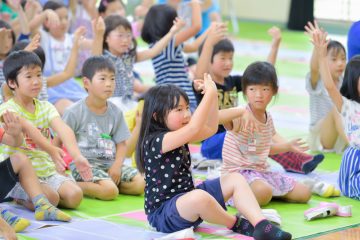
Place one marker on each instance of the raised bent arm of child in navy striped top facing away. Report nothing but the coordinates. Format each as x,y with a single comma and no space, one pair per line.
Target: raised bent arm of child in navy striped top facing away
195,27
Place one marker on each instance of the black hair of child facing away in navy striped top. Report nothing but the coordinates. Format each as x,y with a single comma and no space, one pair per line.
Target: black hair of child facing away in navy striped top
158,22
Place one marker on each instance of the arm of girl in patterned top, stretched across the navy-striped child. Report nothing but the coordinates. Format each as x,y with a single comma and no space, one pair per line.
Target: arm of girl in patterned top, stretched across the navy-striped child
161,44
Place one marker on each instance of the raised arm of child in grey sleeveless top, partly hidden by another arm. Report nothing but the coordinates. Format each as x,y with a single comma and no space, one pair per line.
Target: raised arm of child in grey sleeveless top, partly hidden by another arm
314,63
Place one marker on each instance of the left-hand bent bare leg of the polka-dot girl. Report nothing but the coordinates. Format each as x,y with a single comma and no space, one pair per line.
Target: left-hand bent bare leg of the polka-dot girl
207,208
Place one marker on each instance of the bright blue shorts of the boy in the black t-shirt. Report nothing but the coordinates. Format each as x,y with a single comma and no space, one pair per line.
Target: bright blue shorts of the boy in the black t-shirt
211,148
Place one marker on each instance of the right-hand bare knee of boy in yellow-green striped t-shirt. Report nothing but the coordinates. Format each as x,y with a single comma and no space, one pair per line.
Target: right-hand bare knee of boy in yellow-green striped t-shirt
70,195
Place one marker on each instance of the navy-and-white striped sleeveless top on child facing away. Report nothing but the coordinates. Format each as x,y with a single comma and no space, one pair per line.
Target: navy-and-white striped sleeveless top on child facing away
169,68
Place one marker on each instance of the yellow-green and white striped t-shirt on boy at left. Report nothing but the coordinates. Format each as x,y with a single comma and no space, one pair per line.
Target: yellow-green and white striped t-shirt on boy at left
41,118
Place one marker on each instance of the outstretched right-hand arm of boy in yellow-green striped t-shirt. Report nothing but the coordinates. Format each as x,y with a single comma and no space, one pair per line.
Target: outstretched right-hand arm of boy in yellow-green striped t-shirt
67,136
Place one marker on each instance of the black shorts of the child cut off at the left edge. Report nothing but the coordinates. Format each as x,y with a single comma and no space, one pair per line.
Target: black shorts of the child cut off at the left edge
8,178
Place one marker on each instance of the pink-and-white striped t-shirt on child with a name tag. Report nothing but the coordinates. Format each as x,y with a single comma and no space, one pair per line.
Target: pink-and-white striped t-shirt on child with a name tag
247,150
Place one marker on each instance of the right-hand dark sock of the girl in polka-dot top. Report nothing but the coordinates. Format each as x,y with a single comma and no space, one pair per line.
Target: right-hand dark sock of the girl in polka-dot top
264,230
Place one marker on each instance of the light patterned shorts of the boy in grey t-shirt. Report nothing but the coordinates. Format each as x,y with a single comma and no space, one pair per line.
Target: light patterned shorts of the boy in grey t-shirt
127,173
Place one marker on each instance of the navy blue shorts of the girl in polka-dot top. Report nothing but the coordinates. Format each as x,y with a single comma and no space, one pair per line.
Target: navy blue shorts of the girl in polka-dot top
167,218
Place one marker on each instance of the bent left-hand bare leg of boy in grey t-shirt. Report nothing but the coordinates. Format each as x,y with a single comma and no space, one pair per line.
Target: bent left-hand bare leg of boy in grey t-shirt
103,189
